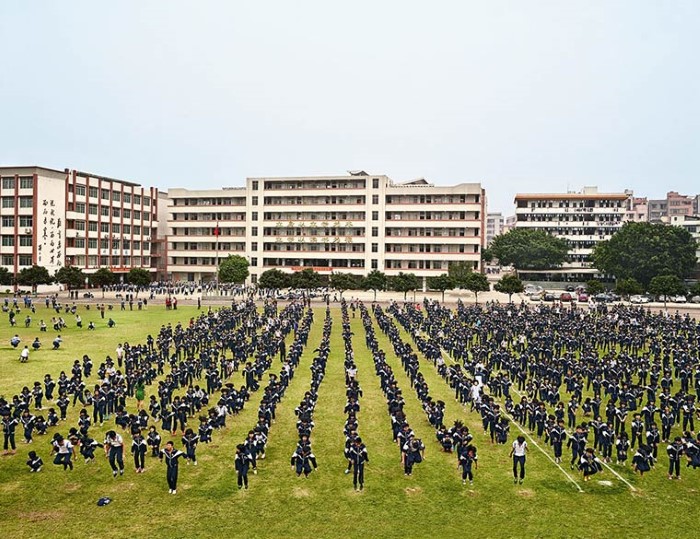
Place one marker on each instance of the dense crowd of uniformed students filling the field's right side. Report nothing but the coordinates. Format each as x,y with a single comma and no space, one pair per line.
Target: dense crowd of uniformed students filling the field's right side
628,356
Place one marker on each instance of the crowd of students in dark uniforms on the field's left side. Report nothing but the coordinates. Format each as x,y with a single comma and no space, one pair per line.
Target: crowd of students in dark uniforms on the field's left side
211,348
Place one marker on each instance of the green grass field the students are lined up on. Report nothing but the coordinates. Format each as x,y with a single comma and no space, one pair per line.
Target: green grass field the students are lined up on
431,503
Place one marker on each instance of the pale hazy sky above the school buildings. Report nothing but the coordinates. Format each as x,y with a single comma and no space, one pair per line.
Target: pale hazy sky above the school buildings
520,95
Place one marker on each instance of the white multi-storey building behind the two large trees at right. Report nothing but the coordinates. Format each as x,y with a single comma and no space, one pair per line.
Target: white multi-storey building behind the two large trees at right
583,219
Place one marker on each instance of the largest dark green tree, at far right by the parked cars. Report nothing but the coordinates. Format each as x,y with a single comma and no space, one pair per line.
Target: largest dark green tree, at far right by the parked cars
644,250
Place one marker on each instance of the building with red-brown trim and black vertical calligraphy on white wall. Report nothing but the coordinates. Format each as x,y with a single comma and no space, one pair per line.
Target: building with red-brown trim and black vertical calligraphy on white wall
56,218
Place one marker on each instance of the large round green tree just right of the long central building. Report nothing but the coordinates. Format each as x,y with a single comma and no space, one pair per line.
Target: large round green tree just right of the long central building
527,249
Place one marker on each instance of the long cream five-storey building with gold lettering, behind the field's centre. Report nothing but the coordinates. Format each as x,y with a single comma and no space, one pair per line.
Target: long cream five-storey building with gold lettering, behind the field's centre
354,223
